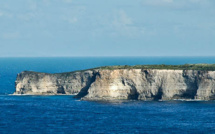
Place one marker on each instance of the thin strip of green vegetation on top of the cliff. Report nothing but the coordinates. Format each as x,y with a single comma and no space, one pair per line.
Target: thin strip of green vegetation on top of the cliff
202,67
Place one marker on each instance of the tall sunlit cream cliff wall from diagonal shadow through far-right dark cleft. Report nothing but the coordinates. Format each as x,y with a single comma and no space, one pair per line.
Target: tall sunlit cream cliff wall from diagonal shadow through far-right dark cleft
144,84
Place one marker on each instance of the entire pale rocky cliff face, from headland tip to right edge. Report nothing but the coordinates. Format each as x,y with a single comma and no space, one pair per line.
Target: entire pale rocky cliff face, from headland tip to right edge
141,84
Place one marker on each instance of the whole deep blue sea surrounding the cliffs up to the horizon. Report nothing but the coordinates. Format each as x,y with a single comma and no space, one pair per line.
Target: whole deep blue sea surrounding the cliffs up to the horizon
66,114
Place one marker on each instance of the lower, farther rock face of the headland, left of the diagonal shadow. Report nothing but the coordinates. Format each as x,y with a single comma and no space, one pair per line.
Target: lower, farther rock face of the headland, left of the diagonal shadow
42,84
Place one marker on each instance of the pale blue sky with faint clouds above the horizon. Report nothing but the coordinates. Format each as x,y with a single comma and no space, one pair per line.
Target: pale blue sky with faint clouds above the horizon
74,28
